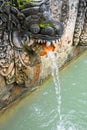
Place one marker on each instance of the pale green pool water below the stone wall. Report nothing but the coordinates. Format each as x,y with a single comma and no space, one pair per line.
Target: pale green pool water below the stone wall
38,111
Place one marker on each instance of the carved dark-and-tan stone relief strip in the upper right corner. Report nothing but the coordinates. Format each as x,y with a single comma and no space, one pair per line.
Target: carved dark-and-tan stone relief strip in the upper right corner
80,32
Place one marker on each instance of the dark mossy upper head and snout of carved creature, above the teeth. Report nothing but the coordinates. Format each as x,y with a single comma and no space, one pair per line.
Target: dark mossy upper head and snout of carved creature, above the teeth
32,17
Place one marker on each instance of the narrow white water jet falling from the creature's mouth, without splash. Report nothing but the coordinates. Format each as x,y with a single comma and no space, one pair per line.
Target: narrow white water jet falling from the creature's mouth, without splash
55,75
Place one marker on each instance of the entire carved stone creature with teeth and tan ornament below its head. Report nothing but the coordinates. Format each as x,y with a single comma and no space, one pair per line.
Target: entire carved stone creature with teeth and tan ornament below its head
24,27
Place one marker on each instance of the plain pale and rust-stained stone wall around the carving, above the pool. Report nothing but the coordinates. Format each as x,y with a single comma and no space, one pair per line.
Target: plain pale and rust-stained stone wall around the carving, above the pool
64,11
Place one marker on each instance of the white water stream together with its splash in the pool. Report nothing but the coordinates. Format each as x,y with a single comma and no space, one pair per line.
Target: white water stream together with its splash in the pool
63,124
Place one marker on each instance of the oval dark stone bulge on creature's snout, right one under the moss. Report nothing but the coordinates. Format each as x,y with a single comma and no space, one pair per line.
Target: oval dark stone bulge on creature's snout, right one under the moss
47,30
